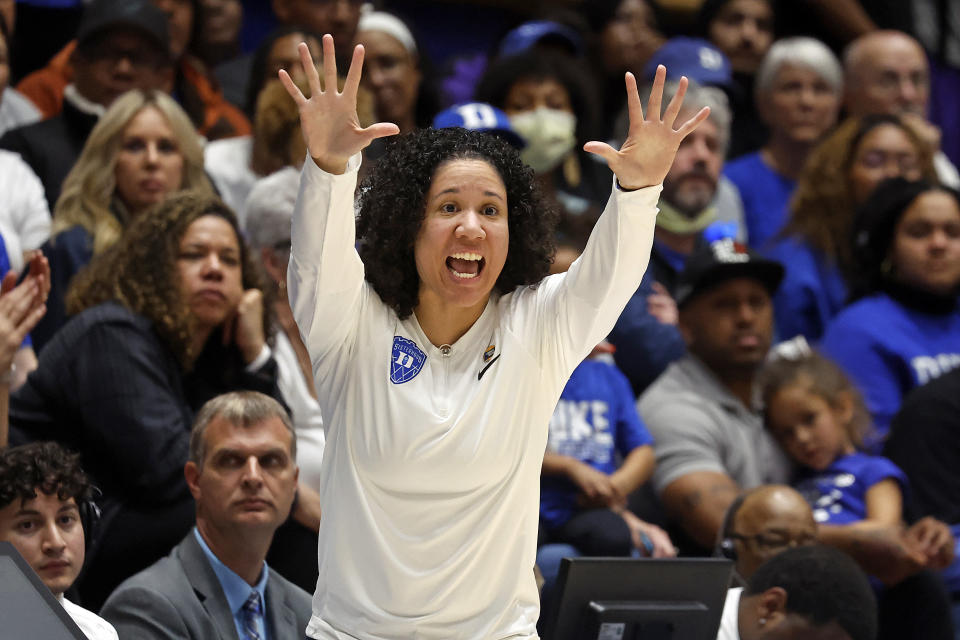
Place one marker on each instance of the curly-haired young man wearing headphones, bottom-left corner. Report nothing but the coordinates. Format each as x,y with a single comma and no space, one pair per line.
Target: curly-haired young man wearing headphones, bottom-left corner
45,505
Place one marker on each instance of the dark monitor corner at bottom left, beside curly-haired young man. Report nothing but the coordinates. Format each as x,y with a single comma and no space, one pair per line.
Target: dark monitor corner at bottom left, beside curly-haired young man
27,608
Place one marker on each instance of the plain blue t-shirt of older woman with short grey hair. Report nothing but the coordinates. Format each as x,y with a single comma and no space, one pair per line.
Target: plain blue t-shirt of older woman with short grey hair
765,194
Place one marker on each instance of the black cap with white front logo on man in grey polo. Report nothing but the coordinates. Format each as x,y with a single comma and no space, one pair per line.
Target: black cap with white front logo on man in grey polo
723,260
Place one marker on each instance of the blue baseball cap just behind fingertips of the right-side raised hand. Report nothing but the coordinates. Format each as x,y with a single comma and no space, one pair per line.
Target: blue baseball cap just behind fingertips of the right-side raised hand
695,58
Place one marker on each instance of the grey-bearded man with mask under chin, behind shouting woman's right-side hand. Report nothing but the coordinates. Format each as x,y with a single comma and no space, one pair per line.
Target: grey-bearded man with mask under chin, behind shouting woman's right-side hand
646,336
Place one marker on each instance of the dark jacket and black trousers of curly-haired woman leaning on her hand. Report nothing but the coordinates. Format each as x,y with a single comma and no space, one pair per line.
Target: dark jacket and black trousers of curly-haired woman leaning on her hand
110,389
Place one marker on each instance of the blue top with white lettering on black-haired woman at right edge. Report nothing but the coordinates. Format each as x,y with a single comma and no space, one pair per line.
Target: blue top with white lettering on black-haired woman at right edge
889,349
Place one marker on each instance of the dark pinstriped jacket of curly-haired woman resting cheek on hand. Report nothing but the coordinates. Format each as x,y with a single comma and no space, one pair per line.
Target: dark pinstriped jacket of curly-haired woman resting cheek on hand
108,387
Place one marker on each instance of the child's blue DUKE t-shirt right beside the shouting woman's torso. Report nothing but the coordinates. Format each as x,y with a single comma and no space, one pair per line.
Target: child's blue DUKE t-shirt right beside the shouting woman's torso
594,420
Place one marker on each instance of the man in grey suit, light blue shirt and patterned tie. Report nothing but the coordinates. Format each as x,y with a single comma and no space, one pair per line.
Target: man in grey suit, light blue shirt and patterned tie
216,584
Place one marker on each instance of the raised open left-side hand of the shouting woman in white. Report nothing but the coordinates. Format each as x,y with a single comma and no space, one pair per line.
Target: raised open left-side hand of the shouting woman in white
328,119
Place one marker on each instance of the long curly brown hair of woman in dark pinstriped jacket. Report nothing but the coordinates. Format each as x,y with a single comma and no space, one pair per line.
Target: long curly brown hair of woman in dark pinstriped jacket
140,271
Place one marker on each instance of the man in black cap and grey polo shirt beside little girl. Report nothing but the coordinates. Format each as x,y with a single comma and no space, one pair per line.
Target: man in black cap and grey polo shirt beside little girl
710,437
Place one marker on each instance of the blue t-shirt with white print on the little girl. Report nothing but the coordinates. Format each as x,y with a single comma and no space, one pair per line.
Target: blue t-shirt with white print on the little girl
838,494
